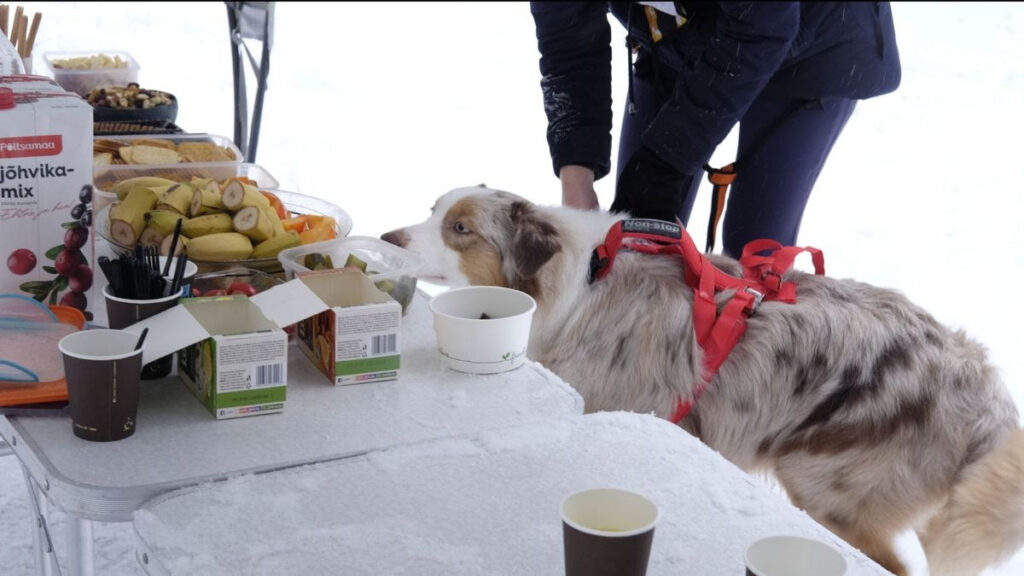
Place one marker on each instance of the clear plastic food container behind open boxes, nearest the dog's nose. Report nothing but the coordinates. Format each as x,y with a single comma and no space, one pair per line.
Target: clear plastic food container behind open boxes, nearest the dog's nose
394,270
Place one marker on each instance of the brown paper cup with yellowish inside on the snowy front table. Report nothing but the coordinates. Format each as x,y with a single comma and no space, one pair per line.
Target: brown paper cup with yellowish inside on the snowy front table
608,532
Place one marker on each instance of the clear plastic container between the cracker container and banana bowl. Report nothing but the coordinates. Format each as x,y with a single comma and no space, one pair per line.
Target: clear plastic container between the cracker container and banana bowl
104,178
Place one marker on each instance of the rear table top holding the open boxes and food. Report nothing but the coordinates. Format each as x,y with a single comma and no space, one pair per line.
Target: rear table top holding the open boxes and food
179,442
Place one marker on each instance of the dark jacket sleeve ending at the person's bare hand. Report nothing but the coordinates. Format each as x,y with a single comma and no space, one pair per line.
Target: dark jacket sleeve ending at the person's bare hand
574,39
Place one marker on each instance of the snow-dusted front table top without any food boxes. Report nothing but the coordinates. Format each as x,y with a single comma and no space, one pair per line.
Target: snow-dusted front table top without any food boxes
488,504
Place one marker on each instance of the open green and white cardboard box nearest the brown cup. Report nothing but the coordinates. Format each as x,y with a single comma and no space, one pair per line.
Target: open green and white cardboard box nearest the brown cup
242,368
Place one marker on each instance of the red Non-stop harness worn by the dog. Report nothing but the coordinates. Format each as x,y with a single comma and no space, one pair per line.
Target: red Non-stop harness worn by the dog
716,334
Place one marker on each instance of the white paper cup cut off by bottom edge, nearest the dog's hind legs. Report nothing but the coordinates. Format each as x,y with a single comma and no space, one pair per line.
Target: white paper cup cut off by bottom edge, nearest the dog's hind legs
793,556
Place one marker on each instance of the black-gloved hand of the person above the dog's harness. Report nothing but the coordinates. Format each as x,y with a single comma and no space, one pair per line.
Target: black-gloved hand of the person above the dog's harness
651,188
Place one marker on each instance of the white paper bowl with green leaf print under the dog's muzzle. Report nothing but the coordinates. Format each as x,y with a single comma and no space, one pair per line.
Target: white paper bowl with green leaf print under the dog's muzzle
483,330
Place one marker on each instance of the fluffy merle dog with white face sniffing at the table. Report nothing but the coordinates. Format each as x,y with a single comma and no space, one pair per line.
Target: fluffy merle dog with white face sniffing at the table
874,417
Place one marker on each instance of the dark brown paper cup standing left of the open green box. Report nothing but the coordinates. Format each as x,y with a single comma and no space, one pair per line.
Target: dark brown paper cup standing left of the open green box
103,371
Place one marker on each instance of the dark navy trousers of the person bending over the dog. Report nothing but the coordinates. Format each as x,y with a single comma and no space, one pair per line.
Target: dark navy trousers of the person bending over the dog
781,154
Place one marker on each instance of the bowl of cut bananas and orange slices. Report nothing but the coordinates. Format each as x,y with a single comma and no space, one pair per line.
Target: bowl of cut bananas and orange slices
224,224
